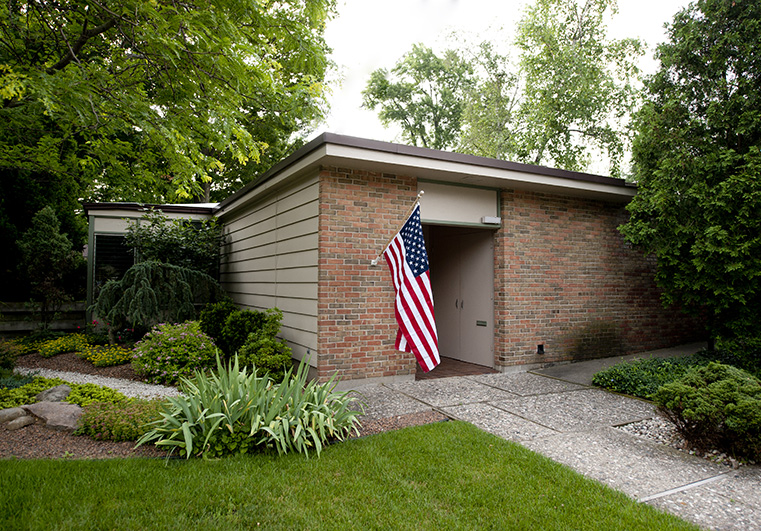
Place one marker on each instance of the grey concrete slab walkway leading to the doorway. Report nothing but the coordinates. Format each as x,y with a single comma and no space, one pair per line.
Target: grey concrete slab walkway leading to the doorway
554,412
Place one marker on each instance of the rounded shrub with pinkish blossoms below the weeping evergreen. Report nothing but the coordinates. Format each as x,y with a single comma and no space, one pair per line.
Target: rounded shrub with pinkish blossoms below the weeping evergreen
173,351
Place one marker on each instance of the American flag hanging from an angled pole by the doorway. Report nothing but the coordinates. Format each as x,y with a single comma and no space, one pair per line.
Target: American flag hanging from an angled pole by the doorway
408,262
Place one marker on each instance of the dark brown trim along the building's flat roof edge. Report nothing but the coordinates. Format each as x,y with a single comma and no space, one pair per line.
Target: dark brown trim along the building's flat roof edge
426,153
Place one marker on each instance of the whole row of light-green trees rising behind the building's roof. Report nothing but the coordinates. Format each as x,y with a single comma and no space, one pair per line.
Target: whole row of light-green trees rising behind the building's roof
571,91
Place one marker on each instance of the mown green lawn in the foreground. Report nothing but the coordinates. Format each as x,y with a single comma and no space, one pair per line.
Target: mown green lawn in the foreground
439,476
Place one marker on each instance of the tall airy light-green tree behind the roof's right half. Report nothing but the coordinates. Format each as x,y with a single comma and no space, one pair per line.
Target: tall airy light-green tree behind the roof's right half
577,85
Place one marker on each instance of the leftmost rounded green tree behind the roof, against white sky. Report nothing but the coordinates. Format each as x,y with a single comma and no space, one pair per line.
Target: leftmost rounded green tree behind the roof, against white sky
423,93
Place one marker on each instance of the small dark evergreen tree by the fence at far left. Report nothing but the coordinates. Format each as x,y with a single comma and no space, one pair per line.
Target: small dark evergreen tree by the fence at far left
47,257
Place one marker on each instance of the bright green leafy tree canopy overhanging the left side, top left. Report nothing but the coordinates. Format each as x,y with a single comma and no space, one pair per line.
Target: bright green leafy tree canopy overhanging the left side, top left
138,99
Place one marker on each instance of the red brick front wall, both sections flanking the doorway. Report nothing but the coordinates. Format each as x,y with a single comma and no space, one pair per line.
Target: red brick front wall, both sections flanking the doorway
564,277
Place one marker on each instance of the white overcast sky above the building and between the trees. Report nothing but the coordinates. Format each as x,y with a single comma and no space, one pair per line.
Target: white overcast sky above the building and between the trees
367,35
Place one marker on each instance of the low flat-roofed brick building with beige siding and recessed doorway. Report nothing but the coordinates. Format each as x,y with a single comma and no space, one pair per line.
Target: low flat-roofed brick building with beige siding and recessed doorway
527,264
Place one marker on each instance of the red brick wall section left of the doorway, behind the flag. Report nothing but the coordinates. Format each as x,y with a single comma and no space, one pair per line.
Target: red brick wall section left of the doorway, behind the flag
359,212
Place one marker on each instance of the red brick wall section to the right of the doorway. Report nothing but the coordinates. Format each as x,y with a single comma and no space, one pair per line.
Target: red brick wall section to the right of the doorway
565,278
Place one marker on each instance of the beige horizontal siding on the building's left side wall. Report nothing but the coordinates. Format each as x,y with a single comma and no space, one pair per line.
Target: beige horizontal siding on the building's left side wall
270,260
